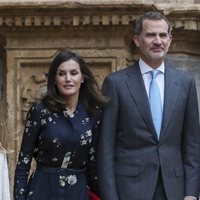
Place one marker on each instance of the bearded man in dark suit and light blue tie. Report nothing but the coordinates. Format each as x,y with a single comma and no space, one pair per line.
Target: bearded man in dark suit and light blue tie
143,159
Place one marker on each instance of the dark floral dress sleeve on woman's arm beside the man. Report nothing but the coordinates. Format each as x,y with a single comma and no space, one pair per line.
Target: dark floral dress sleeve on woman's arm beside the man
92,160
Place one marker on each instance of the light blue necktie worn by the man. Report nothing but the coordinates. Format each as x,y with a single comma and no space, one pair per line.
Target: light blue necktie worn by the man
155,102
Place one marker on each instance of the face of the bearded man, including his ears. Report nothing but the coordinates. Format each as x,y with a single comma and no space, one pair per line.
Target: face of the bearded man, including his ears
153,42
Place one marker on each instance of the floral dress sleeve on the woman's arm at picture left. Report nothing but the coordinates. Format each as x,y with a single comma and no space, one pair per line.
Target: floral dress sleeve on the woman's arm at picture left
29,141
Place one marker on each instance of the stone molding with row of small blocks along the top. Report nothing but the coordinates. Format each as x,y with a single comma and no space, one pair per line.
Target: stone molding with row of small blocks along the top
90,15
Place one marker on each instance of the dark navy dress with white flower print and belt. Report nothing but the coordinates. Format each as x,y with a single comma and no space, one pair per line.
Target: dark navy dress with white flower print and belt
64,149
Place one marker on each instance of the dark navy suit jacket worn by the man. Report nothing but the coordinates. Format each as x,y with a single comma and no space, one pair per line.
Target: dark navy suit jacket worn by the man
130,154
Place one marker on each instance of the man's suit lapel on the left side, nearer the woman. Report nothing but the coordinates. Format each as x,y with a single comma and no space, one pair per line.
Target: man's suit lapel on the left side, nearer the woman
137,89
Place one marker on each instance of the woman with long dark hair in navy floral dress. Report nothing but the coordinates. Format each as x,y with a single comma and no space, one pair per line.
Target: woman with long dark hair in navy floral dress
61,135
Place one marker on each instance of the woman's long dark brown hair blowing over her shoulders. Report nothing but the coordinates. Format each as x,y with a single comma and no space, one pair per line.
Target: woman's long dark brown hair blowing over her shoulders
89,95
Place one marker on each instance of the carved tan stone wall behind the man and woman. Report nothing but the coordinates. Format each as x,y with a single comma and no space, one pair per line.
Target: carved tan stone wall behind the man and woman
31,32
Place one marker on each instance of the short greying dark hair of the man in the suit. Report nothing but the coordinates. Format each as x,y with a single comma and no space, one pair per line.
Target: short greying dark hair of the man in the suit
150,16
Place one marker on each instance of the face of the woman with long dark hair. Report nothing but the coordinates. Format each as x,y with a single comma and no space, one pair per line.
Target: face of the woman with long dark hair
69,78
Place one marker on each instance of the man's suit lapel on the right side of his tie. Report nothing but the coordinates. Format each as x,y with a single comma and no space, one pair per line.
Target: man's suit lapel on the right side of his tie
170,96
